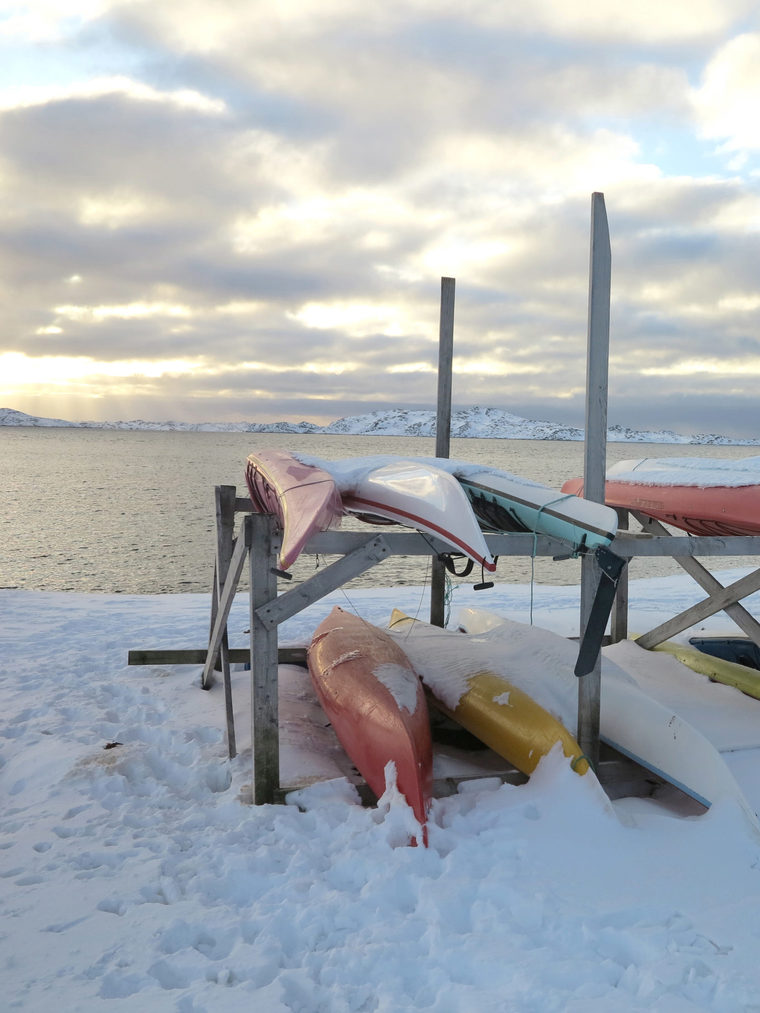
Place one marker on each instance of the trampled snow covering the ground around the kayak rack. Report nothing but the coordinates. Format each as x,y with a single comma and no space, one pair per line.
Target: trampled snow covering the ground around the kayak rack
137,878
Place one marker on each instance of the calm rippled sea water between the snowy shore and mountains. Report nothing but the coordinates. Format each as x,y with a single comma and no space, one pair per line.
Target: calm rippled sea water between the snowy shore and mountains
132,512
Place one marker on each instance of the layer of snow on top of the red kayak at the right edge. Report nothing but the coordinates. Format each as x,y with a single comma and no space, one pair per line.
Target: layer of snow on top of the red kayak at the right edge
703,473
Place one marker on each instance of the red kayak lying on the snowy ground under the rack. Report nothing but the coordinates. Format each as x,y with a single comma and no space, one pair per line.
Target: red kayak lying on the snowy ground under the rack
376,706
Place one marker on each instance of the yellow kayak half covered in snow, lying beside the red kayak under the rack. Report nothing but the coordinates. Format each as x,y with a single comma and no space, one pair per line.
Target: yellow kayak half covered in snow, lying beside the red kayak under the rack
483,702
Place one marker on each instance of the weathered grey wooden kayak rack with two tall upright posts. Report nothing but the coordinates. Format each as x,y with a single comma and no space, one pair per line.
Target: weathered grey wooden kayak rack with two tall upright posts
257,542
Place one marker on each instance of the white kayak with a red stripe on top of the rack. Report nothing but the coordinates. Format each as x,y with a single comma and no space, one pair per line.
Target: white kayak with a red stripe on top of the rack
414,493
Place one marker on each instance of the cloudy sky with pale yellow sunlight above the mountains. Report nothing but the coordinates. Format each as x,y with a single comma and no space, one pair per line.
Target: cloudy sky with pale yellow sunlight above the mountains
243,211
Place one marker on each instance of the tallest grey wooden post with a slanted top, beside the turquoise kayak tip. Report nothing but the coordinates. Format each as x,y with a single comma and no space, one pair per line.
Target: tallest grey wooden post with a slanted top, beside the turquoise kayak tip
595,458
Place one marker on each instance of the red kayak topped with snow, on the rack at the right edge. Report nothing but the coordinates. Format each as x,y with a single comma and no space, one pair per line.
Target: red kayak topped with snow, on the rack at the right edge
702,496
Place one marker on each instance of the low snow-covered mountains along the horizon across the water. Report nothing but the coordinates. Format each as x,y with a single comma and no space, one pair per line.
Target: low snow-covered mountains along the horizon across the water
466,423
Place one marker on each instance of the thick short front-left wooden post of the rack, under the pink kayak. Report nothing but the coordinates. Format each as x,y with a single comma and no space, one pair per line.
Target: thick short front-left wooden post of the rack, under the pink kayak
260,530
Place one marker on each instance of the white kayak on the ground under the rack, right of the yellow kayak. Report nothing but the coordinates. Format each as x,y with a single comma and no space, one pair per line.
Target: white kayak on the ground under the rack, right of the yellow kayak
631,721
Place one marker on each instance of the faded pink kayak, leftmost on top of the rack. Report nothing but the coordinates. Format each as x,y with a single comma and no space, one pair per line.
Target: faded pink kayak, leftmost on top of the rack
303,499
